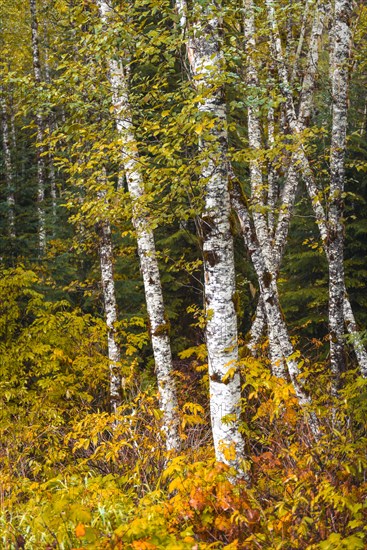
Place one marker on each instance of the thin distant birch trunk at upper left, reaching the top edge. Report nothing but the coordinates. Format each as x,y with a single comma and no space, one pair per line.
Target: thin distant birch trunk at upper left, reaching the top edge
41,167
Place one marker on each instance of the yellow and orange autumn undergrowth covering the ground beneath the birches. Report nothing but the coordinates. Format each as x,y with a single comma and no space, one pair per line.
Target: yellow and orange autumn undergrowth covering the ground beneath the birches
75,477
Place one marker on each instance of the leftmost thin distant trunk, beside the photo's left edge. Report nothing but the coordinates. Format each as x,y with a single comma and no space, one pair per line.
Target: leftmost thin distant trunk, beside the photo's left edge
8,168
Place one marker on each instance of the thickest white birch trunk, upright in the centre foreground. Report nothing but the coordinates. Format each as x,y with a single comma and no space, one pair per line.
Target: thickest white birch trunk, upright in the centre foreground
206,64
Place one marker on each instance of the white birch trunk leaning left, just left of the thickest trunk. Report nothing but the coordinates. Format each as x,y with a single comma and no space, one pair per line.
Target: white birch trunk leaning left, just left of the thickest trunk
159,325
